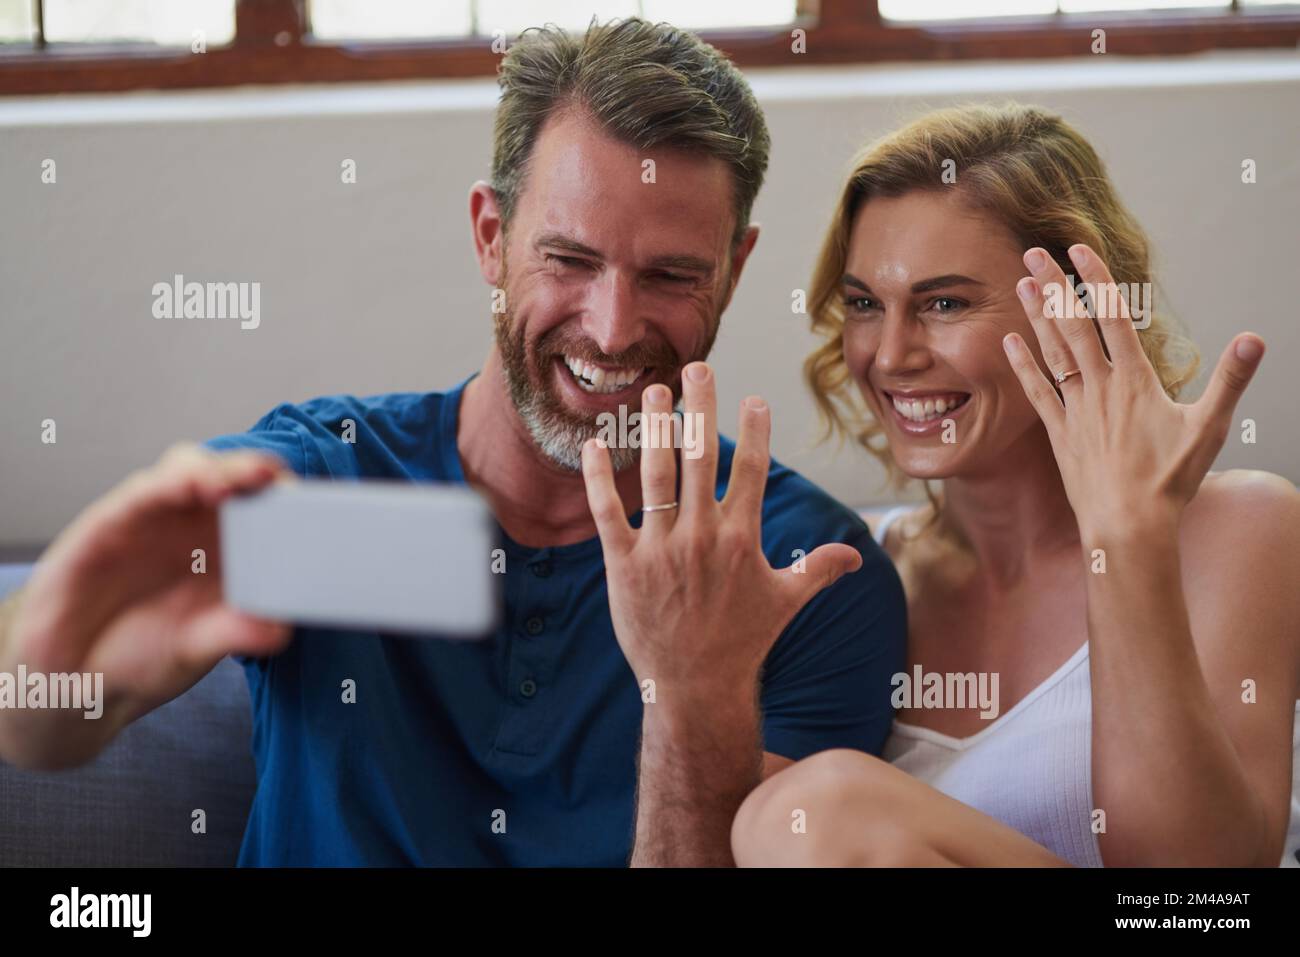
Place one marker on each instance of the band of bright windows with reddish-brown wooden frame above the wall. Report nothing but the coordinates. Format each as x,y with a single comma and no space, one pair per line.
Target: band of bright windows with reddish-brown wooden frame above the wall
55,46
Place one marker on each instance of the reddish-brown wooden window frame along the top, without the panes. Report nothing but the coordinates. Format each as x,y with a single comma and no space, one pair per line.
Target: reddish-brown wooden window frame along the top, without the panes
272,46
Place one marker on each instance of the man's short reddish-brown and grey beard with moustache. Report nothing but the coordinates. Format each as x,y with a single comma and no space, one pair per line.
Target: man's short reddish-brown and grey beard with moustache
557,431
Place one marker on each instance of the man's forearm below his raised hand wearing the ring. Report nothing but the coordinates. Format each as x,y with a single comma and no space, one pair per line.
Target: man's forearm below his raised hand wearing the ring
700,760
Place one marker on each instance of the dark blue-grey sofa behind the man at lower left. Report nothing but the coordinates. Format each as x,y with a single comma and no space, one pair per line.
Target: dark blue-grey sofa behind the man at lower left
135,804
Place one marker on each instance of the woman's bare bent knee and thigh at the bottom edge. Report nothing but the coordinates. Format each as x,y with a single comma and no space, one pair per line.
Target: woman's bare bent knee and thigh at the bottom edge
861,812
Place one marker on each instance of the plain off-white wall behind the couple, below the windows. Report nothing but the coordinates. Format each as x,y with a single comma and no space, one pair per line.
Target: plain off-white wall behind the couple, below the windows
372,288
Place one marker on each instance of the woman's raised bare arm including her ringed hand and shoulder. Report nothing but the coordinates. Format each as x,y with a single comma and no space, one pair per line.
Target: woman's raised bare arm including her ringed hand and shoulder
1185,773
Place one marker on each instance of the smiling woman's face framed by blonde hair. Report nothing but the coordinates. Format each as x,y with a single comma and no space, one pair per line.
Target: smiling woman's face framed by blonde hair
930,293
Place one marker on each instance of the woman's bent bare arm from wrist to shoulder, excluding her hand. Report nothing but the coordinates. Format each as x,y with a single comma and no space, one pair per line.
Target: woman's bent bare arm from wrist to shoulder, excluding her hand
1194,711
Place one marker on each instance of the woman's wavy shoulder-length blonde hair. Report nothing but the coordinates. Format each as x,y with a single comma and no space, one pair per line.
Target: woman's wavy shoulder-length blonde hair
1028,170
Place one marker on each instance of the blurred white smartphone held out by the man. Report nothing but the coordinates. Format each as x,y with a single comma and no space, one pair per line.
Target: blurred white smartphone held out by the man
384,556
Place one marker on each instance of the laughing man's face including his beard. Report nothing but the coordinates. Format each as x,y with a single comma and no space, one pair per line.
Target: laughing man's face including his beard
612,283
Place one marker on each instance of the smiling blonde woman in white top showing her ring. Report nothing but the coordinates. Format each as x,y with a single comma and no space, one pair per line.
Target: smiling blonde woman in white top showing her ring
1142,616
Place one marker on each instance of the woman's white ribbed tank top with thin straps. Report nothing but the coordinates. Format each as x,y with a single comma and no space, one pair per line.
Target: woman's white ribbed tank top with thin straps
1032,768
